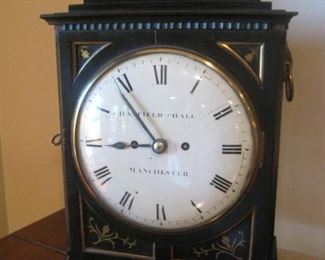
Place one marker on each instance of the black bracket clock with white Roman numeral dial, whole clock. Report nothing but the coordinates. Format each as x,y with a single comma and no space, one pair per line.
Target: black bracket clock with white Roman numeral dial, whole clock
170,118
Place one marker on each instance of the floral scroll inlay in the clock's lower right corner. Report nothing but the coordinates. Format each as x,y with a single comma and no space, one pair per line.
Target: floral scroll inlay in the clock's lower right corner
225,246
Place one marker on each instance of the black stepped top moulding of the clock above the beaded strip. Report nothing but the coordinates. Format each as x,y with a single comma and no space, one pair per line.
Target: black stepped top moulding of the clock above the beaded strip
103,9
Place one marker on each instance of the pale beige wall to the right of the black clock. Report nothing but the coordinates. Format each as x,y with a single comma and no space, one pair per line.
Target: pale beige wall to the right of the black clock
300,220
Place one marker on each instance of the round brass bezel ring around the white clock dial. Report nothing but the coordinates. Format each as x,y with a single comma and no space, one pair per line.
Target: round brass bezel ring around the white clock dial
220,71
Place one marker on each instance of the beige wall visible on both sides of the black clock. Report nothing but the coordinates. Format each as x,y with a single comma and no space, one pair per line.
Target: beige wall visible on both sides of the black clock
30,167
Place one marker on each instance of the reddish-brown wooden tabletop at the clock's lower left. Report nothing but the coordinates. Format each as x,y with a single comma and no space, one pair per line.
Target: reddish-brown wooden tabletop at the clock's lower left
44,239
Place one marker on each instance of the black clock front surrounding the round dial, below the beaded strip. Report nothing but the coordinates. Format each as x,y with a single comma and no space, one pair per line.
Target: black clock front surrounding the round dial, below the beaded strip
82,54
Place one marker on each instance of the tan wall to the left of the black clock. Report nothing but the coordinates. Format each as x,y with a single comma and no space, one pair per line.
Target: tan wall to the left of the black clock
30,174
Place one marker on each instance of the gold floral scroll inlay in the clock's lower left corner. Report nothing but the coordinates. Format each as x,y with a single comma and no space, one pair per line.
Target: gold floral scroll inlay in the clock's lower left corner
104,234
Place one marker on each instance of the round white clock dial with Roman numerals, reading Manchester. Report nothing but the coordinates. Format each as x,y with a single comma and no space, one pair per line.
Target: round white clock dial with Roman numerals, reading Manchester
165,140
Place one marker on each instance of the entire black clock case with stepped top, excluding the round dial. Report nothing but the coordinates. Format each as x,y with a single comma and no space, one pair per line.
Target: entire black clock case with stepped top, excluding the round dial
248,39
